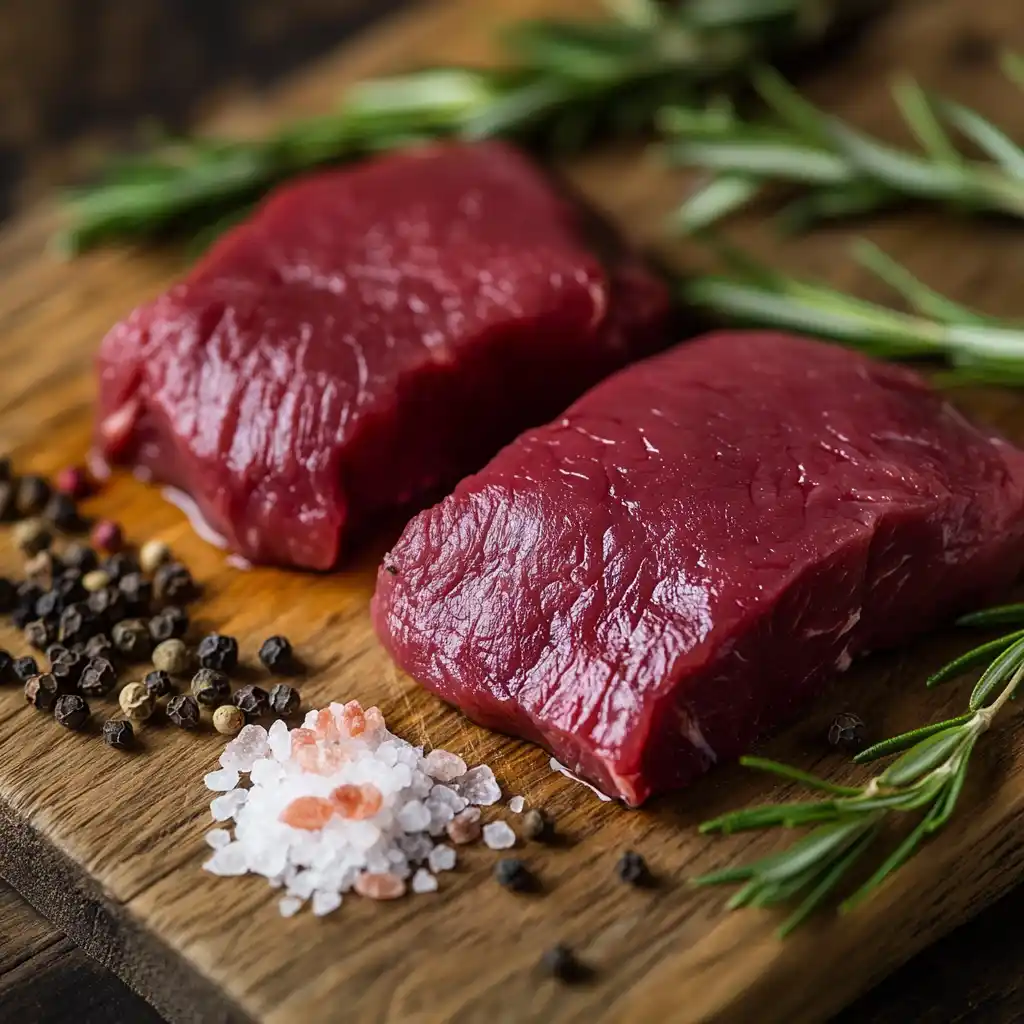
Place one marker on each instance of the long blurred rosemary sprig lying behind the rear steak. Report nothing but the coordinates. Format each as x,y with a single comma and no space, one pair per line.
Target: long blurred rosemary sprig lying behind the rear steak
570,83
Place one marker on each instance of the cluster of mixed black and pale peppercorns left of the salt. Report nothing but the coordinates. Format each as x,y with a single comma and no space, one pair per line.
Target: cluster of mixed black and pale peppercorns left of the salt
96,611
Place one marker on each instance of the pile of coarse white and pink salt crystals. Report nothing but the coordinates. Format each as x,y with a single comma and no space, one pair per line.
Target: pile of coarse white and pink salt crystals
342,805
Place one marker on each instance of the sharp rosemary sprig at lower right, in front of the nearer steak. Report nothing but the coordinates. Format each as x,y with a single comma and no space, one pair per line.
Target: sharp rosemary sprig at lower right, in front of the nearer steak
925,781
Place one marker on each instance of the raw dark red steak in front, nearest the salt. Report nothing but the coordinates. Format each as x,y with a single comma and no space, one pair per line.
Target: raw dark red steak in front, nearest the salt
651,582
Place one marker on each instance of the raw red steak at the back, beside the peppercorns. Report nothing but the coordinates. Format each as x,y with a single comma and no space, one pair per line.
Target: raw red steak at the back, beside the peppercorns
367,338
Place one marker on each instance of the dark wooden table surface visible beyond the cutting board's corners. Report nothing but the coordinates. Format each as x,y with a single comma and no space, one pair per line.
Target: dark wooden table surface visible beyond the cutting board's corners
77,76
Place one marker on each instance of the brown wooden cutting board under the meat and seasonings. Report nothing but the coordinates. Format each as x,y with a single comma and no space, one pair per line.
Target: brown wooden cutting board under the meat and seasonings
110,846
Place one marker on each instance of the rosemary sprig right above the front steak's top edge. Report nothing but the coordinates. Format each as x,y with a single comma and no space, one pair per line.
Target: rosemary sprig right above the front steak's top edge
976,348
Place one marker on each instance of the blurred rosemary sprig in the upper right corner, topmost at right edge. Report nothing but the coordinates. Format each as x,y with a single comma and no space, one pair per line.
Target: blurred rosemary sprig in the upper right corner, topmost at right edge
842,170
